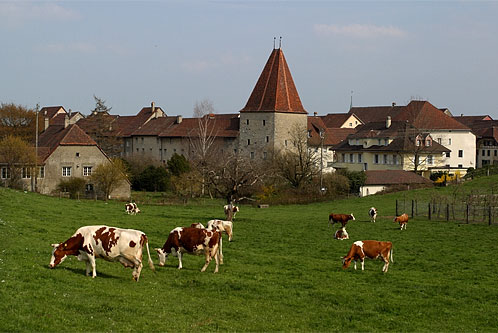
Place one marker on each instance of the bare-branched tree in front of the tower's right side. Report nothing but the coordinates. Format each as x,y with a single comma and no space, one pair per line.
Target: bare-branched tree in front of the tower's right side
298,164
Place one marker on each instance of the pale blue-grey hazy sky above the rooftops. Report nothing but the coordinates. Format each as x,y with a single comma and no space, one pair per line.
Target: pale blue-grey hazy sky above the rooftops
178,52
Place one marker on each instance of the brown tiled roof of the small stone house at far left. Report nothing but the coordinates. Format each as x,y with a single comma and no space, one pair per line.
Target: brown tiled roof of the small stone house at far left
55,136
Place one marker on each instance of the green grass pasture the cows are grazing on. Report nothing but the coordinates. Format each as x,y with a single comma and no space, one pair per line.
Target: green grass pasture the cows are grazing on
282,272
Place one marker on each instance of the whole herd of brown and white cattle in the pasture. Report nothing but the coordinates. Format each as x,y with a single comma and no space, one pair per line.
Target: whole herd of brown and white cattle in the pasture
126,245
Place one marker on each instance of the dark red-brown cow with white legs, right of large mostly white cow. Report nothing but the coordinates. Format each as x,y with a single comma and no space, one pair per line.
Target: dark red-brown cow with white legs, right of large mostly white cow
193,241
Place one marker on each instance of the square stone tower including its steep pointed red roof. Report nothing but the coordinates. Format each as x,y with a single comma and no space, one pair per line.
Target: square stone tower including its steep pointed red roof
272,111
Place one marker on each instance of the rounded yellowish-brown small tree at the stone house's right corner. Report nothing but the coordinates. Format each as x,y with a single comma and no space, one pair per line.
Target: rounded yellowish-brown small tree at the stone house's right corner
109,175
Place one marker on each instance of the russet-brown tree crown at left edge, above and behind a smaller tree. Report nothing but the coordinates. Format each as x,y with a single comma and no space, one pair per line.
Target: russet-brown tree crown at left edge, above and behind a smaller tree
18,121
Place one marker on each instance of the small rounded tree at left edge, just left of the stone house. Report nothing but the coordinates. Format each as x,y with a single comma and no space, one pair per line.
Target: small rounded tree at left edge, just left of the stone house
16,154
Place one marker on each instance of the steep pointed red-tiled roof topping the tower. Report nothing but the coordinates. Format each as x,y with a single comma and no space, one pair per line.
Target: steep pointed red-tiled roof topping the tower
275,90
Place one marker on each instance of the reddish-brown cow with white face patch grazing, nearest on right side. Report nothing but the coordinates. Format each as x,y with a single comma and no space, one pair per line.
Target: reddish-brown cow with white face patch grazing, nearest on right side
371,249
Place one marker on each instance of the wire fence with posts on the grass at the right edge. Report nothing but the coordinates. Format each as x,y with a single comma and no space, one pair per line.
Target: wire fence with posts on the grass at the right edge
444,211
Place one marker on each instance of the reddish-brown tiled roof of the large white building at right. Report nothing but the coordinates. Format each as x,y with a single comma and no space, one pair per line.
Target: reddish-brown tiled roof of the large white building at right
421,114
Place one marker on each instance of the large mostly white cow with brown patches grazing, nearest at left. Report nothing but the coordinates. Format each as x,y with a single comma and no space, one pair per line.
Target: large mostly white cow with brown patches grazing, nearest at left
111,244
